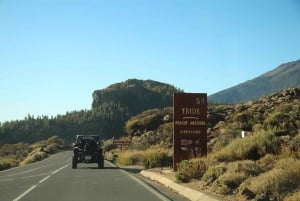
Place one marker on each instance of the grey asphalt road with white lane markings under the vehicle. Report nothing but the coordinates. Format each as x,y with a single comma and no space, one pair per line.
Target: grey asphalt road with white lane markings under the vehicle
53,179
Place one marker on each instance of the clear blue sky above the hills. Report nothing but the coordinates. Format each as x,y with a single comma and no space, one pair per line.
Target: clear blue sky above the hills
55,53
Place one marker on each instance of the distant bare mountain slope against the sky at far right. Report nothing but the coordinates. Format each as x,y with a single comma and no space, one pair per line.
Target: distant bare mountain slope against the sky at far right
284,76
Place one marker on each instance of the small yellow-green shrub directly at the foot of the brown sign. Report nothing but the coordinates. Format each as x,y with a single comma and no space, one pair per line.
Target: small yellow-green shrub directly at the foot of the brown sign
191,169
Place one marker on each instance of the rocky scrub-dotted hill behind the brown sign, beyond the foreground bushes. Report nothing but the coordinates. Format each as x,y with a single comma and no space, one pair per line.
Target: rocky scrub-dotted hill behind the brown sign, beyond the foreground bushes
278,112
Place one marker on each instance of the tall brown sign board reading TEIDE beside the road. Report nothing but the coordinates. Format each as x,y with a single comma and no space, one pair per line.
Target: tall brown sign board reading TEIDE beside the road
189,126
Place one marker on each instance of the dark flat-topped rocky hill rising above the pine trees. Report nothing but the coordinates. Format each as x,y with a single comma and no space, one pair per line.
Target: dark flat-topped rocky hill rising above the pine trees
136,95
